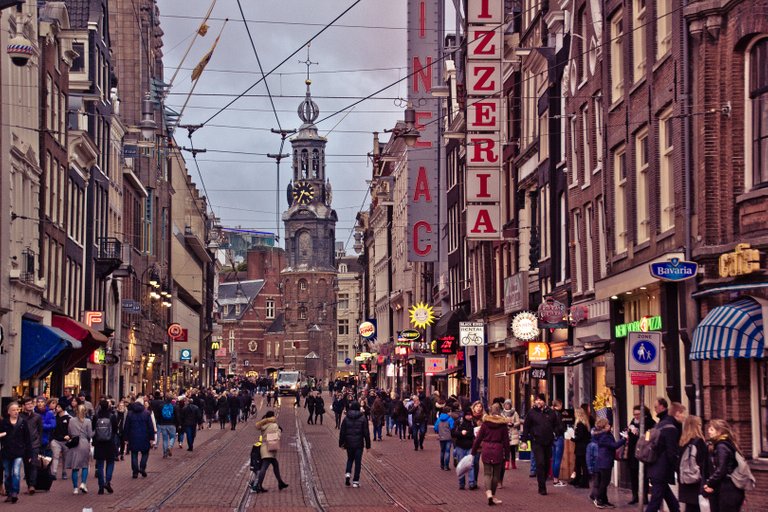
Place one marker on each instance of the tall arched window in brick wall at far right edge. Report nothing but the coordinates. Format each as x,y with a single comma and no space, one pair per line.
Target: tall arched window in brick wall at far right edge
757,85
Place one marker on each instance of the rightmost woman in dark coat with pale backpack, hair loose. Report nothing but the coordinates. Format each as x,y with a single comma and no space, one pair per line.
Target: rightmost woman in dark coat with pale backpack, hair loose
721,486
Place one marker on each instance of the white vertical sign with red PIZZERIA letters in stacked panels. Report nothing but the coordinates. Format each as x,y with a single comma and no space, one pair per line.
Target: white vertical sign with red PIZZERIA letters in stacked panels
484,110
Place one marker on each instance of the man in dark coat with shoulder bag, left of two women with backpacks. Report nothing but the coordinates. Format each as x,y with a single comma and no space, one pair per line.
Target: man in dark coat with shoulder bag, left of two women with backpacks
661,472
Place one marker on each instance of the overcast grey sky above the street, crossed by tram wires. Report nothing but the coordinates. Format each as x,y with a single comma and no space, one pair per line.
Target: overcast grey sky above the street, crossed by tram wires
358,55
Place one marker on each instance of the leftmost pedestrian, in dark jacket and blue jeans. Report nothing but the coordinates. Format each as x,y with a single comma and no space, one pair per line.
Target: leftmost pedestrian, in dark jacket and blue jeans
16,448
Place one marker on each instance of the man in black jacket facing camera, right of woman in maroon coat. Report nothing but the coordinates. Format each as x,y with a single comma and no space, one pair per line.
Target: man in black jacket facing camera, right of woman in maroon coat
539,429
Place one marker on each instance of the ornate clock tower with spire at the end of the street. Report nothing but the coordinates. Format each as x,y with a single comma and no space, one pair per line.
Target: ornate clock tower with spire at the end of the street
309,279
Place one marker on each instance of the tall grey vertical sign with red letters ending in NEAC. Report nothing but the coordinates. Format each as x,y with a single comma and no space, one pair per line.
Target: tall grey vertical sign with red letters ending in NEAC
423,71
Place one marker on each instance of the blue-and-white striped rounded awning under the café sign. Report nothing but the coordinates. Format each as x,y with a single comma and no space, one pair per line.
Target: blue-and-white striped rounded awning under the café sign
732,330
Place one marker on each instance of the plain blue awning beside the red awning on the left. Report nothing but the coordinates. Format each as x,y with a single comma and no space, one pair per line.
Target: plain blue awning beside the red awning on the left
41,345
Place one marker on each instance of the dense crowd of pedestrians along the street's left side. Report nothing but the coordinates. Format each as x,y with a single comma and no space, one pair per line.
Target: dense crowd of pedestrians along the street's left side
59,438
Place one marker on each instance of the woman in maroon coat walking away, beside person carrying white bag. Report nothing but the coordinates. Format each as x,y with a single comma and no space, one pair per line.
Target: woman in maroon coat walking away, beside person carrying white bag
492,442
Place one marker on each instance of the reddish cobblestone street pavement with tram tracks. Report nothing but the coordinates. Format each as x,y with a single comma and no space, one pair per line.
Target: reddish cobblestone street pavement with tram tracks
214,478
